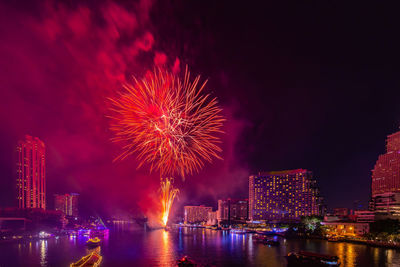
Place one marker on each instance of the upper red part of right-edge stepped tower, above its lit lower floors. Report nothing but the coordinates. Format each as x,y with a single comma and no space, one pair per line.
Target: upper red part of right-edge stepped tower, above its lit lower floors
386,173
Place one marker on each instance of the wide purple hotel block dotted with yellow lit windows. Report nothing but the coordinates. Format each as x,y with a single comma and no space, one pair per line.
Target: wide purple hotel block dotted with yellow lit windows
283,195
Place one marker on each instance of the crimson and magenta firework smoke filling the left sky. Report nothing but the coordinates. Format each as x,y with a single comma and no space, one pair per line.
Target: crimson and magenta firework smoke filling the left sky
60,63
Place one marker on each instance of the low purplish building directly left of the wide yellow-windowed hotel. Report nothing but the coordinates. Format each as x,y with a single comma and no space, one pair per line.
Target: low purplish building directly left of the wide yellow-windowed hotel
232,210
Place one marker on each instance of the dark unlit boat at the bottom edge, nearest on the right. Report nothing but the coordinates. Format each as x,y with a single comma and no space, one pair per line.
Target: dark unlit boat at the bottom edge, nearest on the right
305,258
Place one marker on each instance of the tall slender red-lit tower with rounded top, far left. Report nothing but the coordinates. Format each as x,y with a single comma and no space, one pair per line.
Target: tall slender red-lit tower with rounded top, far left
31,173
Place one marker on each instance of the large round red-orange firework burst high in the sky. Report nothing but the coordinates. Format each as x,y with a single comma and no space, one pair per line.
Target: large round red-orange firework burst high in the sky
168,123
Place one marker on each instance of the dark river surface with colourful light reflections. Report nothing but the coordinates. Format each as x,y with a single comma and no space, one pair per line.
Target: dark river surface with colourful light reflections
207,247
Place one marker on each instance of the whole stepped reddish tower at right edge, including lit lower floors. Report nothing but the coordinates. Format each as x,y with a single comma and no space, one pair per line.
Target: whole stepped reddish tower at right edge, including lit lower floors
385,185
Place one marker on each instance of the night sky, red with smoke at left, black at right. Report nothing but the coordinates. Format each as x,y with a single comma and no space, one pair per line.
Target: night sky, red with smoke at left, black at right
302,86
